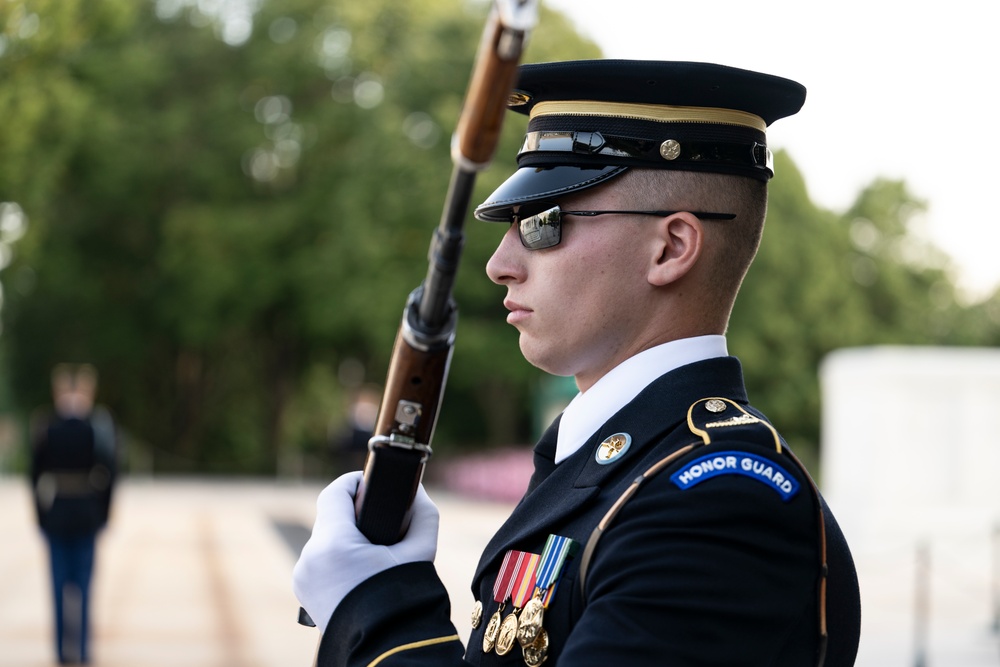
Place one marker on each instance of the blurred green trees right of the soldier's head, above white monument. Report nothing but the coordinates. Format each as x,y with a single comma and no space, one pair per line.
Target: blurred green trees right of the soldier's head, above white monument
823,281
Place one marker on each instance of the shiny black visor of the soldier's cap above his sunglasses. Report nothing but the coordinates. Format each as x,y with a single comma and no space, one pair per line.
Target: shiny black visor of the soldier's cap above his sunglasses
535,184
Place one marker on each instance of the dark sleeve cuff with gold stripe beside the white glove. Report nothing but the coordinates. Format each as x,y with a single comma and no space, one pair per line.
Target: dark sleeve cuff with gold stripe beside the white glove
398,618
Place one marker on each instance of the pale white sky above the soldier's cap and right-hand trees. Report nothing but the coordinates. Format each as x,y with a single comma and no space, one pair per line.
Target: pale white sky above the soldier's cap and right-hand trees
895,89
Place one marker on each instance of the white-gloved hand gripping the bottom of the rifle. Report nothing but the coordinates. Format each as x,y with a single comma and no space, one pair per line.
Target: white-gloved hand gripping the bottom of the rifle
338,556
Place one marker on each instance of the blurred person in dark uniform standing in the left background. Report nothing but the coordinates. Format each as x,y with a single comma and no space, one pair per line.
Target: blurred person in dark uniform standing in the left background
73,468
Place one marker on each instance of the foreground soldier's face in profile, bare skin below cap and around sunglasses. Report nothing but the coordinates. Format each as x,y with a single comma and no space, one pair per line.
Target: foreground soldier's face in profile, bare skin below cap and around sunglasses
582,306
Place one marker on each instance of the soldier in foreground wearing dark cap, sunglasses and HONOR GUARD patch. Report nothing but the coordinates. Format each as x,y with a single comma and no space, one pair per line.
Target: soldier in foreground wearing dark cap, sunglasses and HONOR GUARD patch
666,522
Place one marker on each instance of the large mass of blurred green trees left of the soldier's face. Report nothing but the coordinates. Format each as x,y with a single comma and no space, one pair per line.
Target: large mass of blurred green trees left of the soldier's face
225,207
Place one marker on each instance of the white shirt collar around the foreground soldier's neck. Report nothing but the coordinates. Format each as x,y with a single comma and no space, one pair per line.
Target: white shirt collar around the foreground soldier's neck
589,410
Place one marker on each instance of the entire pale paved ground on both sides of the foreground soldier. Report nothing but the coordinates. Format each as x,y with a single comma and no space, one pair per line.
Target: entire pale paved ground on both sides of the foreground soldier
197,573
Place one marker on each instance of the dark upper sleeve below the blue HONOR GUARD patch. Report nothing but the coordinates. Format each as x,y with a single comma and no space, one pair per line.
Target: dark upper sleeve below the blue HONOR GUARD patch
722,573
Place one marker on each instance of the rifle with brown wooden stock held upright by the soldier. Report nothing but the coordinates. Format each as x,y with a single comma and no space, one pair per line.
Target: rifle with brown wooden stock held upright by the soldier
418,369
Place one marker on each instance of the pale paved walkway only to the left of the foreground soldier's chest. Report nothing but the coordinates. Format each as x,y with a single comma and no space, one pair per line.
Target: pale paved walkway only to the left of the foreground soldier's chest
195,574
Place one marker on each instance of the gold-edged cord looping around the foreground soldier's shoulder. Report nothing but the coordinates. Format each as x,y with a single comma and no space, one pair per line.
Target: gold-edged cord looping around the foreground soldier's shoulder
744,418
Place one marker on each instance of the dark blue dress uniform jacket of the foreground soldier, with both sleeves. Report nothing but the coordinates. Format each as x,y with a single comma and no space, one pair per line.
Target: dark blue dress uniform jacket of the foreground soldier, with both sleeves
725,572
